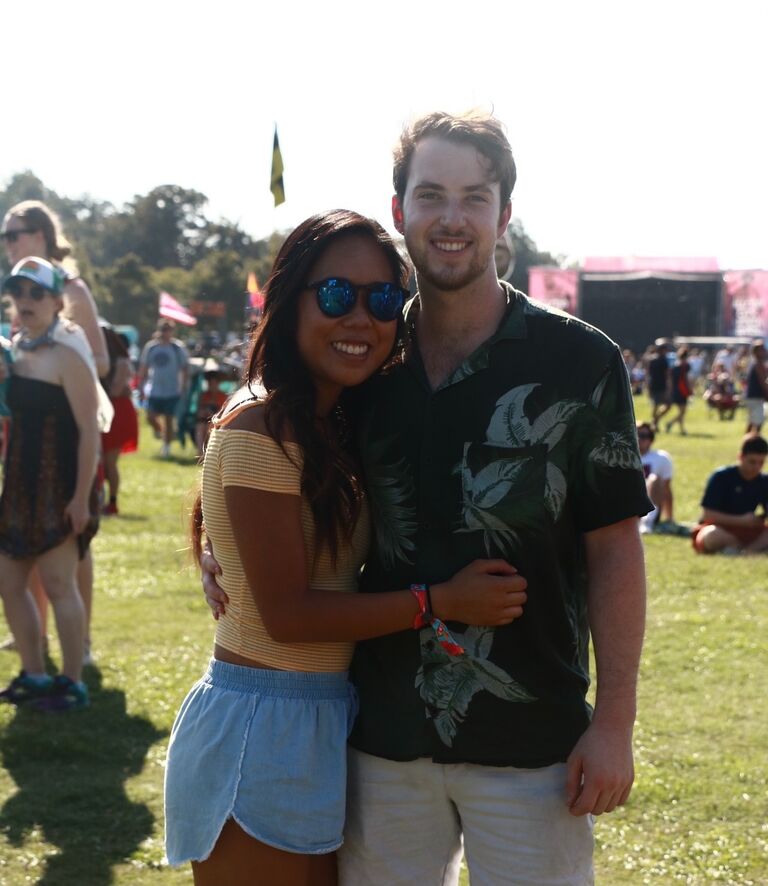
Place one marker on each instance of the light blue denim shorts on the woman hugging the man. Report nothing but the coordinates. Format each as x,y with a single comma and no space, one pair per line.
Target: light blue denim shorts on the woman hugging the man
267,748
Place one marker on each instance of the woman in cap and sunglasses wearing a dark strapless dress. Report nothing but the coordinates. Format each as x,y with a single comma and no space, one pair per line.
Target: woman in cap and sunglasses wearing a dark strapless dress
49,505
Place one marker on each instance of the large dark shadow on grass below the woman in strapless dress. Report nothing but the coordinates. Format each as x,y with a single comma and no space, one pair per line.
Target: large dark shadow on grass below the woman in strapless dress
71,770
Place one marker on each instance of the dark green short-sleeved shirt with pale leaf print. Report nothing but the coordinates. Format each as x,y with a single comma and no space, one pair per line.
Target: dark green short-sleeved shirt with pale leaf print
527,446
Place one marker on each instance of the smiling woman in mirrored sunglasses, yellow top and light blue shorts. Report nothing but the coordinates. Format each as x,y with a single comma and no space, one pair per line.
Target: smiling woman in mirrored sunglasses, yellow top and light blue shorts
255,780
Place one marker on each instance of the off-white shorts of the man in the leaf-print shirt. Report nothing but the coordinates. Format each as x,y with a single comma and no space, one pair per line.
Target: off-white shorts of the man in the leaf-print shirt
405,823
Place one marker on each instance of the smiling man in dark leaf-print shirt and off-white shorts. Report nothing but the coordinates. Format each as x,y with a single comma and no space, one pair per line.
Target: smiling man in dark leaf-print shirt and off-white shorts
480,446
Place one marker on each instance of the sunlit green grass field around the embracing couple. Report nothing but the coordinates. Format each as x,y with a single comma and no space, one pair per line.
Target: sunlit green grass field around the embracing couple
81,794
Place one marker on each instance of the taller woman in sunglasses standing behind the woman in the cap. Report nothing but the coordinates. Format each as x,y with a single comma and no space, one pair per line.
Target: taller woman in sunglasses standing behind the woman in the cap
33,228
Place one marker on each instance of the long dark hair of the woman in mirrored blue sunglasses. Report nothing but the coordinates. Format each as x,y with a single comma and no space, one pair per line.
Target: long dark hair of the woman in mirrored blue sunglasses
330,477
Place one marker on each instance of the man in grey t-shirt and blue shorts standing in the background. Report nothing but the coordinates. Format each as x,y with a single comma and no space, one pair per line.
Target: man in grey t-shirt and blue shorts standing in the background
163,369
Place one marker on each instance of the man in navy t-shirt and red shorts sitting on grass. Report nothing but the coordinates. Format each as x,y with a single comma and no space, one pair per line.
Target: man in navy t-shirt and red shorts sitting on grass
729,520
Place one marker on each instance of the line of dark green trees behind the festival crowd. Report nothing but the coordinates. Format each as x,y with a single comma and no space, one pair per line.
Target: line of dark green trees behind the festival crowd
164,241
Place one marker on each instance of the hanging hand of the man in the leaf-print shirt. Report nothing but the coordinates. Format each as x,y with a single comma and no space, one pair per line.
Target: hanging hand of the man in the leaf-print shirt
600,770
